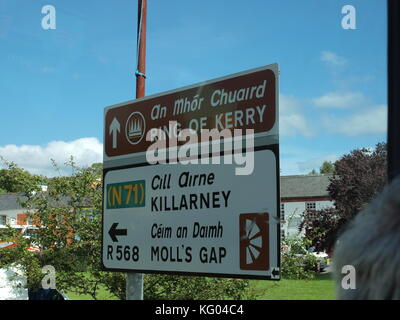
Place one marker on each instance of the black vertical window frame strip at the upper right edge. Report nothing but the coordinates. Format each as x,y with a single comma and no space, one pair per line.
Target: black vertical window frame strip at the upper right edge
393,89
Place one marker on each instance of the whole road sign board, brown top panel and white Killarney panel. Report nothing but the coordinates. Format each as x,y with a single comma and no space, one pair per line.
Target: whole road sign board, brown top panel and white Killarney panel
203,215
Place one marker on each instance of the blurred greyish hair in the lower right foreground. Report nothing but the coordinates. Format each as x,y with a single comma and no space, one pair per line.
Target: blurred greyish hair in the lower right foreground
371,243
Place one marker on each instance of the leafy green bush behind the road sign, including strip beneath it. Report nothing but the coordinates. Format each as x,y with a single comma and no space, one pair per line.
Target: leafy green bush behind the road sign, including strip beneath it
69,220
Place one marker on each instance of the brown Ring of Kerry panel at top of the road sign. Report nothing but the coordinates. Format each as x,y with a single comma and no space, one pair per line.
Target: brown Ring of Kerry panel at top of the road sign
246,100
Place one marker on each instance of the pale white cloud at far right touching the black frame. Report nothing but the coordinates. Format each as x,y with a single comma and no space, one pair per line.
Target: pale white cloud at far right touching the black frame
368,121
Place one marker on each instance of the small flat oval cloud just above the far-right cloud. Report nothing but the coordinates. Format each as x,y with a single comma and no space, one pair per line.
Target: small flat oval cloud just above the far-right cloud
340,100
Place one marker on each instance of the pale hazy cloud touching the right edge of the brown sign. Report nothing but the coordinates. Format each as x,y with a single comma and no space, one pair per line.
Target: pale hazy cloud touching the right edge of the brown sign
291,119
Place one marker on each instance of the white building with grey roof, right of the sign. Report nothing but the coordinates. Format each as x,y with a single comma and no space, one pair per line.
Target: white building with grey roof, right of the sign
300,193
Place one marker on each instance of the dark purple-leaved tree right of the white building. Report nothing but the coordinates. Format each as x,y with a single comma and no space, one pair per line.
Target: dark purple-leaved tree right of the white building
358,178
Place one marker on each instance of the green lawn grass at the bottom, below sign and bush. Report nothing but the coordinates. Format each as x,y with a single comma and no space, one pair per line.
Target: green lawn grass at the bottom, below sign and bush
321,288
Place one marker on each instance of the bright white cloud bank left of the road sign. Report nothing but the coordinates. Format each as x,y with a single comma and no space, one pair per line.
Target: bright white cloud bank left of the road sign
36,159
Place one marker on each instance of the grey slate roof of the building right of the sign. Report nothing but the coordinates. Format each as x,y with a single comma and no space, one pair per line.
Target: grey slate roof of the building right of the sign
305,186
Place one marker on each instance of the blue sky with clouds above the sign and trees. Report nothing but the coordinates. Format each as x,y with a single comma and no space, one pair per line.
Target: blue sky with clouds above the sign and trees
54,84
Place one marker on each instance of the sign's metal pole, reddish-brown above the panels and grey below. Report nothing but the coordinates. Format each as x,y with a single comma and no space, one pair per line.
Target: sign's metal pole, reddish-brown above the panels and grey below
134,281
